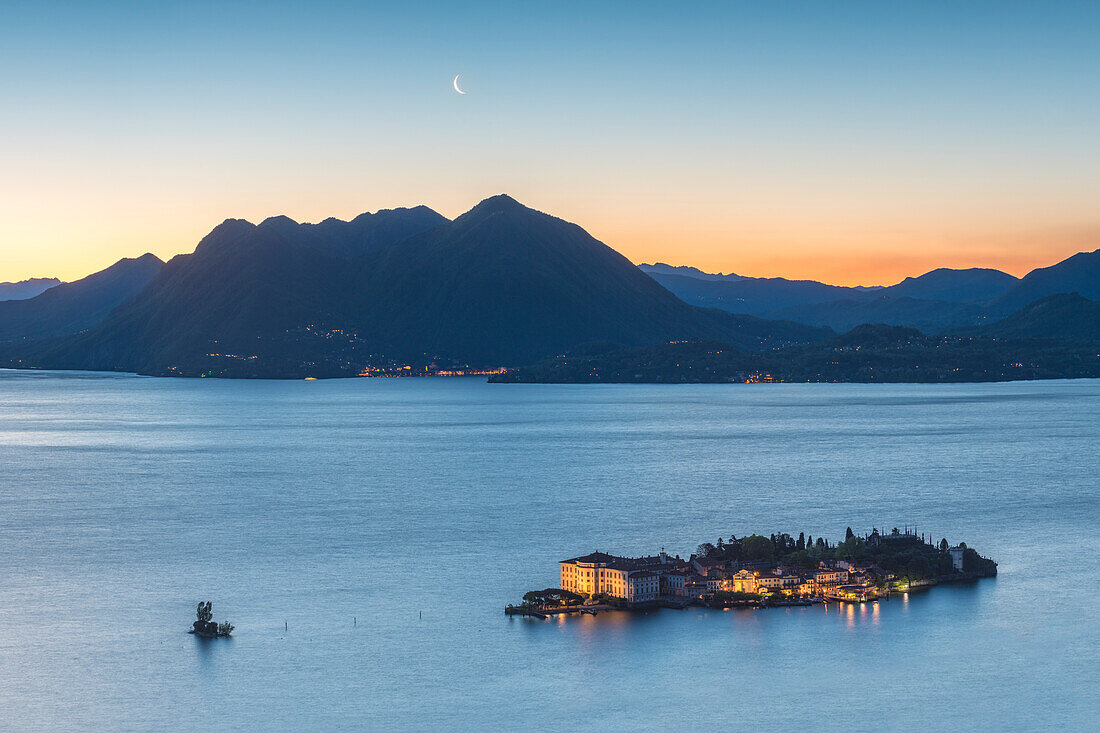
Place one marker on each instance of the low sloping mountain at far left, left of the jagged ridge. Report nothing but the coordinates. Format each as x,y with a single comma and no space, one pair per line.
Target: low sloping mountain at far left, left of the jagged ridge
75,307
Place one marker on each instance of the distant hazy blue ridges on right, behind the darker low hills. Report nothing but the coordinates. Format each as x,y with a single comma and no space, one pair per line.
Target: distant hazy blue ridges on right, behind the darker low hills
938,302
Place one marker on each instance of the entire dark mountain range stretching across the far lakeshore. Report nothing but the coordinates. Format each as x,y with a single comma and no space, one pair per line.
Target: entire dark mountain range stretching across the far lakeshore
408,291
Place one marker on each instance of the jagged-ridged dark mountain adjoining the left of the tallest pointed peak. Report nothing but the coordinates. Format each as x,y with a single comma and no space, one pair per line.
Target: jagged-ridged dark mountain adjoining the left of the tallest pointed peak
251,300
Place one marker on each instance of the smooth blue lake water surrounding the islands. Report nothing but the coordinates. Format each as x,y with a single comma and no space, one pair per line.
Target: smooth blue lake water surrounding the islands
365,537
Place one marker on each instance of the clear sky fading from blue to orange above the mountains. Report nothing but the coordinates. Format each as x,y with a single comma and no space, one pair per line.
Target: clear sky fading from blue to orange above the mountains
854,144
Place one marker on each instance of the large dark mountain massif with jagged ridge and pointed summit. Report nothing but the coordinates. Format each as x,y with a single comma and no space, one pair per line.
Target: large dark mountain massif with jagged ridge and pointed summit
501,286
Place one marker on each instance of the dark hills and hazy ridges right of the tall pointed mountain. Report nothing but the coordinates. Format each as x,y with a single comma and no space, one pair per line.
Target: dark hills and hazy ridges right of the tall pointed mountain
1057,336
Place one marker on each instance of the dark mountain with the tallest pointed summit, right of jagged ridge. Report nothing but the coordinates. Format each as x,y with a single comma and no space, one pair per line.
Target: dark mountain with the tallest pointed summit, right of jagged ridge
507,285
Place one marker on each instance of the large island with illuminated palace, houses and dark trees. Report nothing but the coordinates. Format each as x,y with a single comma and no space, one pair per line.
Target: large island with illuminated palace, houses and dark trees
760,572
